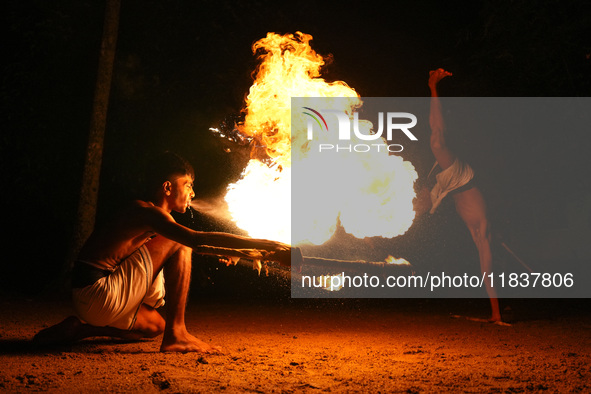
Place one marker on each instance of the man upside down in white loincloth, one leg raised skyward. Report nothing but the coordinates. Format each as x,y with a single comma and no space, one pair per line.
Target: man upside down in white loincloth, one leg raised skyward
468,199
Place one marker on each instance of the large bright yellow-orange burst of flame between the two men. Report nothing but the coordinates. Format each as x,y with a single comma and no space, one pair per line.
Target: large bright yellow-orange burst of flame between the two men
260,202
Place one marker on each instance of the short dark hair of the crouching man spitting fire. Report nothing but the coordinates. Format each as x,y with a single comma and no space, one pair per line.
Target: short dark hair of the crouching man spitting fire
162,168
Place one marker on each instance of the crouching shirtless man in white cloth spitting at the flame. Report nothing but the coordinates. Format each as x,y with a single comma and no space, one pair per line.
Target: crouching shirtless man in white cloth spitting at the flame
118,279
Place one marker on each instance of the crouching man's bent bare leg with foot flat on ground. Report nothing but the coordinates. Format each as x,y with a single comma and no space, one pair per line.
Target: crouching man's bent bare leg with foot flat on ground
177,271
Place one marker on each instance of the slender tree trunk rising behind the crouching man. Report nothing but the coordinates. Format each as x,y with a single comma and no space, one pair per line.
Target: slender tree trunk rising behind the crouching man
87,203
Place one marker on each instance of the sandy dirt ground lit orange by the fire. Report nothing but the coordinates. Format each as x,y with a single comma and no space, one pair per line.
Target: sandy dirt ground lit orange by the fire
293,346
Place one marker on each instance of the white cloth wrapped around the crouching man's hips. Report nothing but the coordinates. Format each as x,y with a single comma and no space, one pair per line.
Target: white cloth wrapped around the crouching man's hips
115,300
